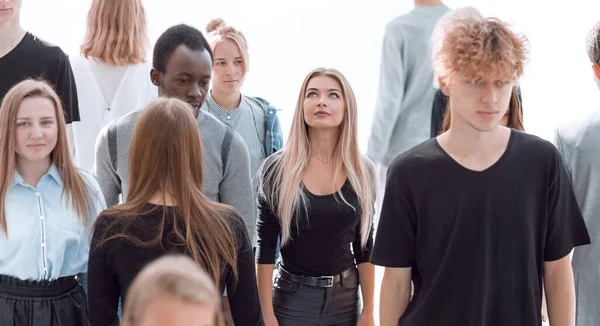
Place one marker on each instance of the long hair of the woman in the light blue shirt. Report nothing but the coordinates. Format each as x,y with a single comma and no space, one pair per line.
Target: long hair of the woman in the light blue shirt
74,187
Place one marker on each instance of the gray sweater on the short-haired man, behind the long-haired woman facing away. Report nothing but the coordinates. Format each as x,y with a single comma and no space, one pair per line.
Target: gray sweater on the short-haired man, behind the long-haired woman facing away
226,164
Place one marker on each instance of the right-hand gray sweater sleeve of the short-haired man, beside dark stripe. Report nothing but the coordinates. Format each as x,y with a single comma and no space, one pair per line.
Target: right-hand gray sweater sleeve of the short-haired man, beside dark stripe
236,187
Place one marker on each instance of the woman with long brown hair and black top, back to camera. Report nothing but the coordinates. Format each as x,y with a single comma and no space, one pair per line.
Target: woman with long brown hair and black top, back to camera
166,212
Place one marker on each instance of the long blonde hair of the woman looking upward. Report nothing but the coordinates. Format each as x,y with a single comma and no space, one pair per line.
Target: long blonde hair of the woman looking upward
282,173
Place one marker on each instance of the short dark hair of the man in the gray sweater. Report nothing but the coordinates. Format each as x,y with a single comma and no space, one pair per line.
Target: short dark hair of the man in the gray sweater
173,37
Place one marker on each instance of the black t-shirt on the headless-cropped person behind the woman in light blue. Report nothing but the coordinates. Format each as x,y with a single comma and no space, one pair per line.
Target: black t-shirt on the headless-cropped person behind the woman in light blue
34,58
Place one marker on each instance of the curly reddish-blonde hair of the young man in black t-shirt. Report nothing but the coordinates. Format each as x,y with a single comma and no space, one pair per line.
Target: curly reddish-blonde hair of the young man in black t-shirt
467,43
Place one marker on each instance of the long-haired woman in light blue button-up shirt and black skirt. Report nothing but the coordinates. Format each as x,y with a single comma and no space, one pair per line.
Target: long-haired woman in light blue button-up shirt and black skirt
47,207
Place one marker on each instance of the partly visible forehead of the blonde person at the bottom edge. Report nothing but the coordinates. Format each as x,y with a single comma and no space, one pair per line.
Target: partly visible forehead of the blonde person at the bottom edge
169,311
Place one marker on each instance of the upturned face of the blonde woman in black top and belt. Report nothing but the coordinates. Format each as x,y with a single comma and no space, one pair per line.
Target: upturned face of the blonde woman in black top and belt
324,103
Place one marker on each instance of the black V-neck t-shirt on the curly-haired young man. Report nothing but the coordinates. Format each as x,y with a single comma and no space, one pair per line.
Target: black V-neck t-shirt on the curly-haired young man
477,241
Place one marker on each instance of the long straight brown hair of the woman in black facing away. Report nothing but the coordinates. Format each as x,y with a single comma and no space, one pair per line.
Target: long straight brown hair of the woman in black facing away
171,162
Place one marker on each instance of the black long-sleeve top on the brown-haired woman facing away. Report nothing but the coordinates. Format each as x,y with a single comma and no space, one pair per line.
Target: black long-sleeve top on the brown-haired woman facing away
114,265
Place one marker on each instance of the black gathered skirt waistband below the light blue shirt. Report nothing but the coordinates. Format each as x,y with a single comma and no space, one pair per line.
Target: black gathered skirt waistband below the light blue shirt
13,286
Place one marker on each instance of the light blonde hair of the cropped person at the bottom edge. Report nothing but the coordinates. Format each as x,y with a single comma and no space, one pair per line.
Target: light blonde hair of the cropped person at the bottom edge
172,276
